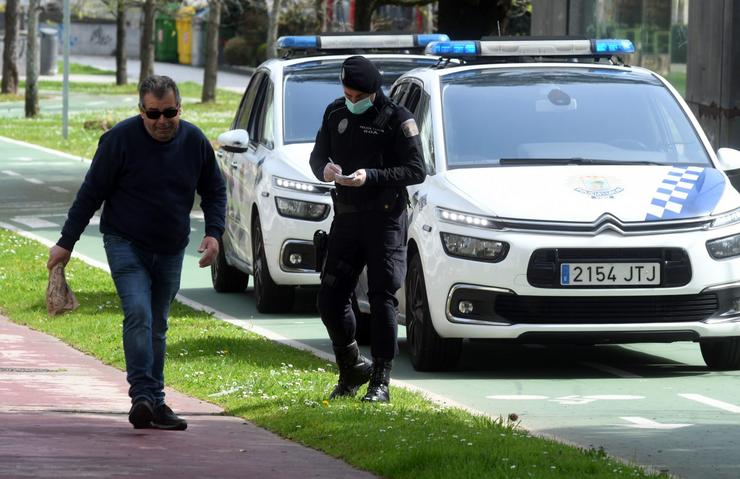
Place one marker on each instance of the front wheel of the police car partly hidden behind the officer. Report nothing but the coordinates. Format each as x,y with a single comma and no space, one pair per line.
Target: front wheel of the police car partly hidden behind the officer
269,297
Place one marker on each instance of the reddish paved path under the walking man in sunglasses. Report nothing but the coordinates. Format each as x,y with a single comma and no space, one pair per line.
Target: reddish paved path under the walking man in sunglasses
64,414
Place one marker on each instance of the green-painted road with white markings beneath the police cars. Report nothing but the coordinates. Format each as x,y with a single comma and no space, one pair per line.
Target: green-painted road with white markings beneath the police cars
655,404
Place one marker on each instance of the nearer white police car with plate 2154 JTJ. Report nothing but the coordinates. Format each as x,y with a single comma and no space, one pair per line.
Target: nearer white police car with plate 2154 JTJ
570,198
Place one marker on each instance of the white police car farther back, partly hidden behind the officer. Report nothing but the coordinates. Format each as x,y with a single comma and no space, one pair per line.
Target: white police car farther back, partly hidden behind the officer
274,201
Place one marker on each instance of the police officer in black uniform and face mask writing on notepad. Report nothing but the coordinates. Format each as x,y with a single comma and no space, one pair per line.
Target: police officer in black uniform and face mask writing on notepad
370,148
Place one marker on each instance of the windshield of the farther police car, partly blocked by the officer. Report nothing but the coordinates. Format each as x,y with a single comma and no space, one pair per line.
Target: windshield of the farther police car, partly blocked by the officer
310,87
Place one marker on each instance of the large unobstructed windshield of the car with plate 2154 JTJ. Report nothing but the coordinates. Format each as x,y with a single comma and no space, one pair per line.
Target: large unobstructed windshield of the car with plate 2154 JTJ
538,116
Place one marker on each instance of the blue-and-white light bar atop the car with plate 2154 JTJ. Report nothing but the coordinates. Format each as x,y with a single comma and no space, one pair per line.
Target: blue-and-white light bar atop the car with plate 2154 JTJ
515,48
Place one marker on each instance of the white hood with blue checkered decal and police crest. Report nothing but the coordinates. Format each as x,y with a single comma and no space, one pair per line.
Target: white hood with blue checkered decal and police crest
585,192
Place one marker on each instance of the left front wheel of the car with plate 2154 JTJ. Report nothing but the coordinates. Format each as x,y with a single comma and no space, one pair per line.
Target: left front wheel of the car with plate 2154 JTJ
428,351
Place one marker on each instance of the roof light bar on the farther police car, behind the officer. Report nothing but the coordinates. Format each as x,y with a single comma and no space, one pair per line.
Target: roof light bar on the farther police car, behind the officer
338,42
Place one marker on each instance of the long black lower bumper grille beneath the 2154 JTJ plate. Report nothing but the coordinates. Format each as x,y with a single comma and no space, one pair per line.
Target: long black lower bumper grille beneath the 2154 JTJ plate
606,309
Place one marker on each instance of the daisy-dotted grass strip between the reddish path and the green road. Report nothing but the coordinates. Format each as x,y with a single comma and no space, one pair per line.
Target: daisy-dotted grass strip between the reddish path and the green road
284,389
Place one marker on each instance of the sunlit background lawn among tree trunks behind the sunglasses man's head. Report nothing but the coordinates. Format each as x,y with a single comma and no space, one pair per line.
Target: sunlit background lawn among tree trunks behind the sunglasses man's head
85,128
